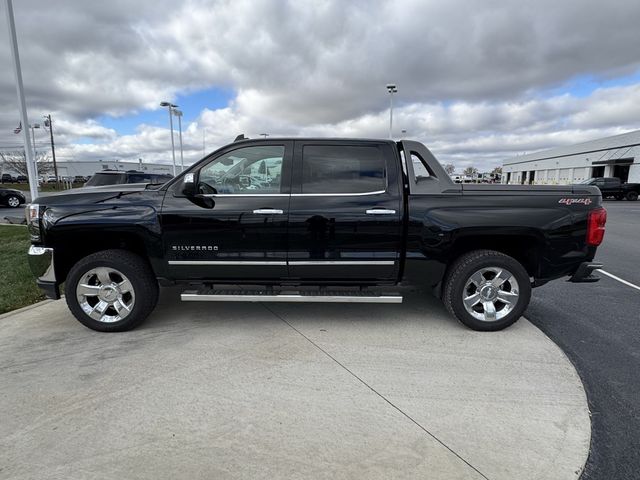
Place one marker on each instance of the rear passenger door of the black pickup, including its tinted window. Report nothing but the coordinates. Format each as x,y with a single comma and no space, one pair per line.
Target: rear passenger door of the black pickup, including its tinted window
345,211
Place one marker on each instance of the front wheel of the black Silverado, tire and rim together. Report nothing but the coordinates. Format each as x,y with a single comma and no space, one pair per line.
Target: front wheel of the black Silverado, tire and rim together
111,290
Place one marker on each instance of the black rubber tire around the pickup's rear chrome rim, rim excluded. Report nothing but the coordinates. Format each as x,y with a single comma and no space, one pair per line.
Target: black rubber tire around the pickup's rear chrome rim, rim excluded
461,271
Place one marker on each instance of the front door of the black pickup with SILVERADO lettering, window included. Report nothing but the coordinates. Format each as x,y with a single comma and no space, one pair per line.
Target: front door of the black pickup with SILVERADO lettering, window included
235,227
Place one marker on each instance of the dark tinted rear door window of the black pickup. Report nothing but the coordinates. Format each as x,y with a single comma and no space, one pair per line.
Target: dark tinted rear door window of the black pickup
342,169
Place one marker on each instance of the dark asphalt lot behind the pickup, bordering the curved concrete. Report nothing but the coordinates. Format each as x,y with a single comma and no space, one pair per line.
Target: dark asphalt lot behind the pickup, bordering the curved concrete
598,327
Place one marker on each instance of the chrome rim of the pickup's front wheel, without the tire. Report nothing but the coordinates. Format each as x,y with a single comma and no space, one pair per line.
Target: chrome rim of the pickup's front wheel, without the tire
105,294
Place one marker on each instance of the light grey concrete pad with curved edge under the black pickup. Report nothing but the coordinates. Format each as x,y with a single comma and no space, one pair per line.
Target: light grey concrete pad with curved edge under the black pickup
286,391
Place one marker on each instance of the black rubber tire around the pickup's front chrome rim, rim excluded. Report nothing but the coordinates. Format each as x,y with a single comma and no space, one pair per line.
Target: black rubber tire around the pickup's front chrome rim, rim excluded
144,288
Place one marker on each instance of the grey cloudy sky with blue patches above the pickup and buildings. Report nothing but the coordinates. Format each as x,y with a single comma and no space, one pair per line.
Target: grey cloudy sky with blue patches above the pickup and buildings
479,81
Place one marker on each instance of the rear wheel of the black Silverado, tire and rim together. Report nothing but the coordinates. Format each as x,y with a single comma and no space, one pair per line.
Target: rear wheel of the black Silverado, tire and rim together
486,290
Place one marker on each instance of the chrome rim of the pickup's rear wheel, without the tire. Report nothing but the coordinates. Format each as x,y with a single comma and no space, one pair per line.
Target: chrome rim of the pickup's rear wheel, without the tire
490,294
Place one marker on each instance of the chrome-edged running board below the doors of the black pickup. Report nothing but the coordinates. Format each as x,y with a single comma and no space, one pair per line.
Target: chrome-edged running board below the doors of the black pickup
297,297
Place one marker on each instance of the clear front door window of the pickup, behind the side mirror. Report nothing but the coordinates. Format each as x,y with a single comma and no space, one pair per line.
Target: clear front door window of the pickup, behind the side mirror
253,170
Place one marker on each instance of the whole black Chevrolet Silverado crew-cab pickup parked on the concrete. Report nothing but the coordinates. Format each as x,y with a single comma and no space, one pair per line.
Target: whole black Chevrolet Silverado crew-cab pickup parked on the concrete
313,220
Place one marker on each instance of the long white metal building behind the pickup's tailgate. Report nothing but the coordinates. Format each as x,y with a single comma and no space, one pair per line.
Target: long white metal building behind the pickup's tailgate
617,156
